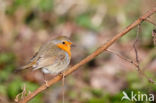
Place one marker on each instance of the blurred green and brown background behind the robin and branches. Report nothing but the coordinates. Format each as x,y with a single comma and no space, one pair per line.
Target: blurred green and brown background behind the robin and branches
26,24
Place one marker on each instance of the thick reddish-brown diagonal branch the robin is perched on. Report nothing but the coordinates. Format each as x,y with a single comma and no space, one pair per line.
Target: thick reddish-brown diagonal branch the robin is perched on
90,57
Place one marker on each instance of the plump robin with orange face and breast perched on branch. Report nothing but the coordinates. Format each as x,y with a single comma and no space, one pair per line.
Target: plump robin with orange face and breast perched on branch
53,57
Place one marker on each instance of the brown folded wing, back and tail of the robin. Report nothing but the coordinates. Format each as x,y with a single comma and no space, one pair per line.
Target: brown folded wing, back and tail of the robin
47,55
